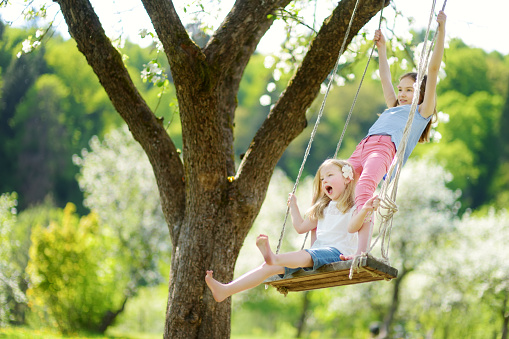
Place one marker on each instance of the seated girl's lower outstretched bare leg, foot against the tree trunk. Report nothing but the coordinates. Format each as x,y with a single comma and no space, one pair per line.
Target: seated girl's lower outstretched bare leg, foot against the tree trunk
249,280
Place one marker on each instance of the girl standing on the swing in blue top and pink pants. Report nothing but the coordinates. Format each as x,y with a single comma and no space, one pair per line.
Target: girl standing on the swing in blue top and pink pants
373,156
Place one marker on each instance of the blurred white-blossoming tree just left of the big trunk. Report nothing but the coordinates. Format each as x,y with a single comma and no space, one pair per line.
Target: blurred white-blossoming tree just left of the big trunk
119,186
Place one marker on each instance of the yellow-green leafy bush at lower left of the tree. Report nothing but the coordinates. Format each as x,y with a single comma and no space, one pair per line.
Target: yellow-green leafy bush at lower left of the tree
68,277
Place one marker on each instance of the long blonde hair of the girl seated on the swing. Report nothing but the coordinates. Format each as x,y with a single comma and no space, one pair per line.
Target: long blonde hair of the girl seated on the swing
321,200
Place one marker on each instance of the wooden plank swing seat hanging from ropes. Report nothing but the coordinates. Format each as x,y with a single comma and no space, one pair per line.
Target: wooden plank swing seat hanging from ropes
332,275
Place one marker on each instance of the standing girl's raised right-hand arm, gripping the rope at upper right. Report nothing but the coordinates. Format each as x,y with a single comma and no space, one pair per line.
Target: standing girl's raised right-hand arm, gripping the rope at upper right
428,104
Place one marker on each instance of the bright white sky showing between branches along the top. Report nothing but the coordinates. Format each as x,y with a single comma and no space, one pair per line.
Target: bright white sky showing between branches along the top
482,24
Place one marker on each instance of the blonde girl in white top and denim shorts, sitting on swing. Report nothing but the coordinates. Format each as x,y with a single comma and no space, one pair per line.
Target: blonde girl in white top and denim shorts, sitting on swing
331,216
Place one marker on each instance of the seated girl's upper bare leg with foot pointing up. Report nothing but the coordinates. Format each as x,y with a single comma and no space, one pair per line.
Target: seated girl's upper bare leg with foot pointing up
291,259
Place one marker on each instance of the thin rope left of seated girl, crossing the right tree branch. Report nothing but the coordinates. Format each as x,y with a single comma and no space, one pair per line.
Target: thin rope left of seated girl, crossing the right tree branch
313,133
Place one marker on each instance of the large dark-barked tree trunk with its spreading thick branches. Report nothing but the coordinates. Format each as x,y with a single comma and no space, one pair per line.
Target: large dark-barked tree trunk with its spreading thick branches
208,216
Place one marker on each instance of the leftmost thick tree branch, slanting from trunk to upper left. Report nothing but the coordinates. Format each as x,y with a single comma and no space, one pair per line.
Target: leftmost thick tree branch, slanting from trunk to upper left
86,30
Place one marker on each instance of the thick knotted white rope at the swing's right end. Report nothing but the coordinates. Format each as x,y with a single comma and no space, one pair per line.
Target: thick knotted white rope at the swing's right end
389,188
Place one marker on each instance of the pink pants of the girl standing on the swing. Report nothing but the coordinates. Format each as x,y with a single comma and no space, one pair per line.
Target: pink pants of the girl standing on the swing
371,161
